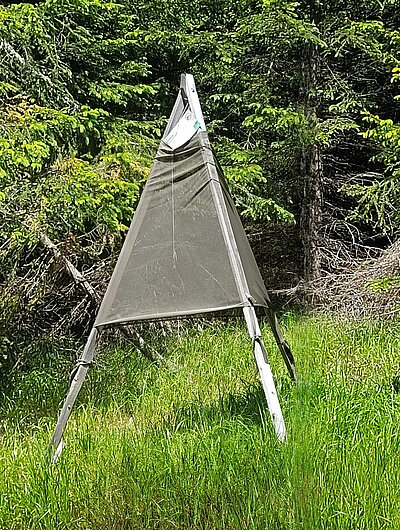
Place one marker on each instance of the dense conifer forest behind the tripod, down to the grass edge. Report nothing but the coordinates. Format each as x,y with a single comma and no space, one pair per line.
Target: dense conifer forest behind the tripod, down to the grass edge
301,100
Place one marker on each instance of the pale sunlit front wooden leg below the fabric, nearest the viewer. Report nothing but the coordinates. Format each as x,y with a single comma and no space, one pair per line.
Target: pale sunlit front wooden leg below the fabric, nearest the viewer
264,369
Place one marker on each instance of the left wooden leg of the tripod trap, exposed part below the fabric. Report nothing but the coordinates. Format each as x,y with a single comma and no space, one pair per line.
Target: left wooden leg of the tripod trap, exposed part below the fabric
77,378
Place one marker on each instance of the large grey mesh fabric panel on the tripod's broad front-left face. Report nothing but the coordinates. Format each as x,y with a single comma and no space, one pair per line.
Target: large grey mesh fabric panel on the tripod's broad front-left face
175,261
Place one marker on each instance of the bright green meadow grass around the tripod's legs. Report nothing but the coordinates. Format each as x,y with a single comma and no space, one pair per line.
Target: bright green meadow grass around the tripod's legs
192,447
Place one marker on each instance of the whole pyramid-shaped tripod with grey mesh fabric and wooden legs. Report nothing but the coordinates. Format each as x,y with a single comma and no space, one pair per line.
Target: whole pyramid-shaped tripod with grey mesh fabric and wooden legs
186,252
